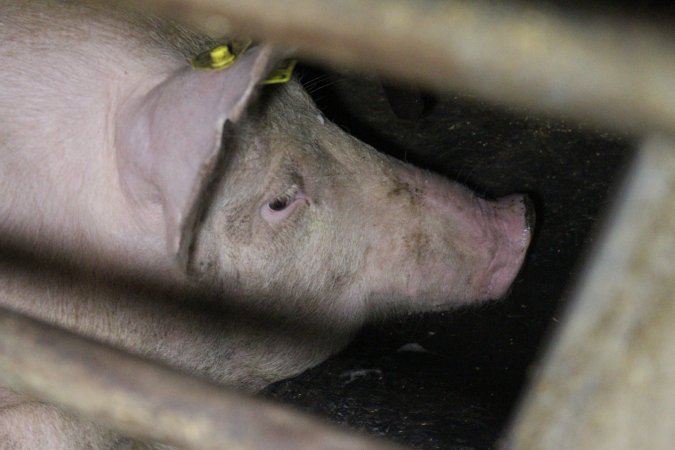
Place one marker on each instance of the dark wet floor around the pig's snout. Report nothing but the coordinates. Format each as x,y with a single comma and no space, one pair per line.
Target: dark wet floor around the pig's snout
451,380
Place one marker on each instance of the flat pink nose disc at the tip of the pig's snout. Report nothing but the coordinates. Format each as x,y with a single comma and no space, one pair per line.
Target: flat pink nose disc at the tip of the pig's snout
512,222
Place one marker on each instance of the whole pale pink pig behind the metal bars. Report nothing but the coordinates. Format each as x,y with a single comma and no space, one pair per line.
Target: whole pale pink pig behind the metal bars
198,219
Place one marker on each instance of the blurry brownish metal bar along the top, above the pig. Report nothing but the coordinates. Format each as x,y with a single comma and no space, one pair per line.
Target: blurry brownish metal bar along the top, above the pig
610,72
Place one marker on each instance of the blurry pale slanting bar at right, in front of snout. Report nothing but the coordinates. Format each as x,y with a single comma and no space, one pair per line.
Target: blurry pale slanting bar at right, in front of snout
608,382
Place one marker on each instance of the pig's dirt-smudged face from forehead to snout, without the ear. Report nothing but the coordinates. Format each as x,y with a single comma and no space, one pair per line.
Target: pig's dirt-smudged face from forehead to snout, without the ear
305,219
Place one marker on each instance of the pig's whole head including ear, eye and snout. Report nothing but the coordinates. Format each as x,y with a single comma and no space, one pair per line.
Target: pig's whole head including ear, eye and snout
288,210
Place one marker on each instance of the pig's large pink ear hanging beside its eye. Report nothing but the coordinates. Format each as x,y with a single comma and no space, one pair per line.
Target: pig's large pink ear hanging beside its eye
168,138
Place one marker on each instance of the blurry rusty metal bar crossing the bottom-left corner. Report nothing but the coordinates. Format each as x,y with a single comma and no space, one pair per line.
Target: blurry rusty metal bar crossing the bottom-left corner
151,401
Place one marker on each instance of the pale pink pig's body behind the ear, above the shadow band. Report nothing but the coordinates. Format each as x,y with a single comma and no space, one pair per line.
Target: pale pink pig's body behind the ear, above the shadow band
64,68
